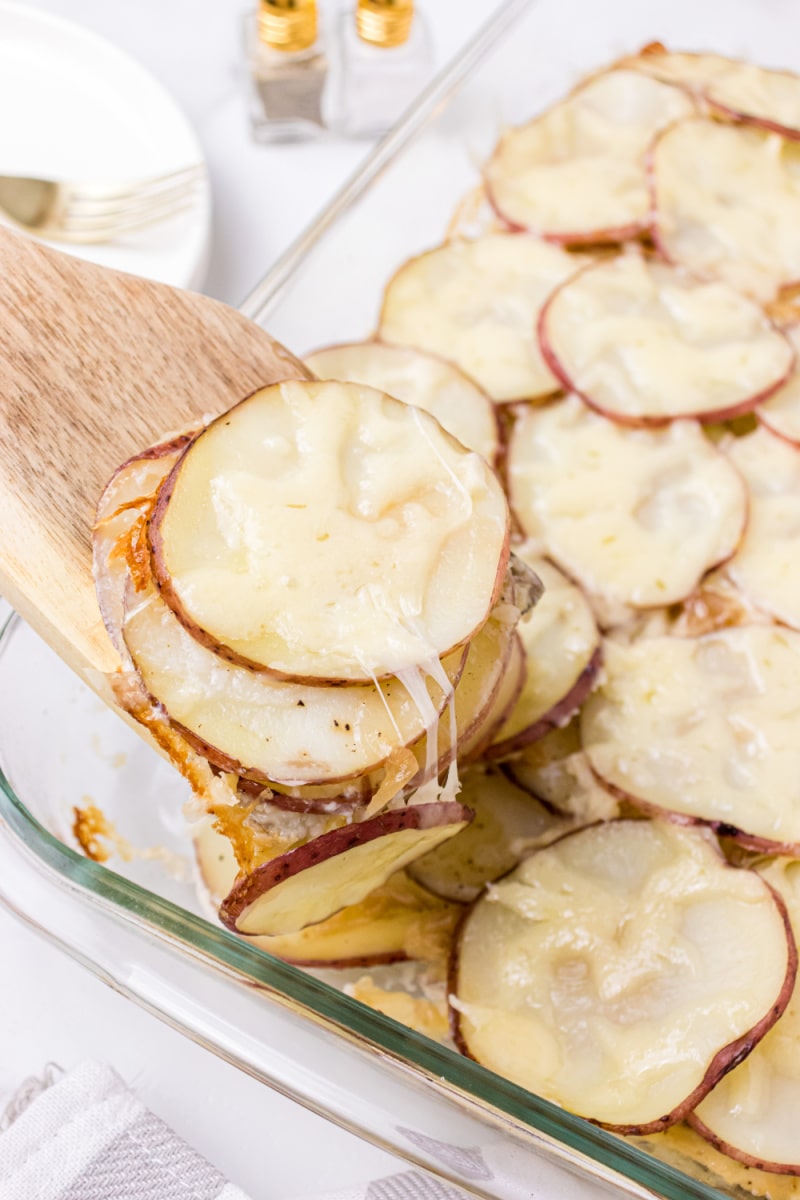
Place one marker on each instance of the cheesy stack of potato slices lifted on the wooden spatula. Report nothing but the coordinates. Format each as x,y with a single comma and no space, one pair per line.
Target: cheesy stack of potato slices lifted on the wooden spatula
312,595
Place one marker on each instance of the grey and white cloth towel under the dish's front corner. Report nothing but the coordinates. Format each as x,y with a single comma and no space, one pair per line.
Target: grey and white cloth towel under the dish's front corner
85,1136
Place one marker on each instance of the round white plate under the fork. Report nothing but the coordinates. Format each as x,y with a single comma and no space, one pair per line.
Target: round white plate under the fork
76,107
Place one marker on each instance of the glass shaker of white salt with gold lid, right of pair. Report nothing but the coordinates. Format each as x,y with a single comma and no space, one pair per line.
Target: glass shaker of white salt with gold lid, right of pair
384,59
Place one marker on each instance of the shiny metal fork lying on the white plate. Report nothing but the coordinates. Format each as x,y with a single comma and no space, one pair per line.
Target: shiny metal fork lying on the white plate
94,212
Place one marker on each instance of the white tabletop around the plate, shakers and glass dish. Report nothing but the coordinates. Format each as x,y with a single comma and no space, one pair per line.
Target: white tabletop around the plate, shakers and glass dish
51,1010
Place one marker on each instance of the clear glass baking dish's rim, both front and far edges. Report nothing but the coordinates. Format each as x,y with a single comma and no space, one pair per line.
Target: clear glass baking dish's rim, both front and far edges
195,937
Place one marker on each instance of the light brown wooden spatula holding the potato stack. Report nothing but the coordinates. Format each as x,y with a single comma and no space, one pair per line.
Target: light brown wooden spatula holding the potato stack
94,368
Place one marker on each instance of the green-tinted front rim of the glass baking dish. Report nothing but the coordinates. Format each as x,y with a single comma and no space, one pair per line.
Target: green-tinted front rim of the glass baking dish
291,986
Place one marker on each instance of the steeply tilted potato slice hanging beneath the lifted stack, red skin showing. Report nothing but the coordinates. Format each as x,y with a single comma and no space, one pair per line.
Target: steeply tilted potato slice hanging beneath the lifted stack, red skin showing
309,885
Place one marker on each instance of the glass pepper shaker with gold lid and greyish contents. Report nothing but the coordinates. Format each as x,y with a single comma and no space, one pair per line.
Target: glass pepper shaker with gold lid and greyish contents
287,71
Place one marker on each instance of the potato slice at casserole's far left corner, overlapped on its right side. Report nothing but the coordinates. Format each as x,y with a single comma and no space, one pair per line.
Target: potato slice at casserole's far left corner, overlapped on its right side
578,173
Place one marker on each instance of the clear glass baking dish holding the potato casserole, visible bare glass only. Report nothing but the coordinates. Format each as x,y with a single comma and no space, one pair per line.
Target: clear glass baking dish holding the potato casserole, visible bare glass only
140,923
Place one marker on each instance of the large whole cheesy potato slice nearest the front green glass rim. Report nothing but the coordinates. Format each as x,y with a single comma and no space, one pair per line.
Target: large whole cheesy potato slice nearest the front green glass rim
622,971
